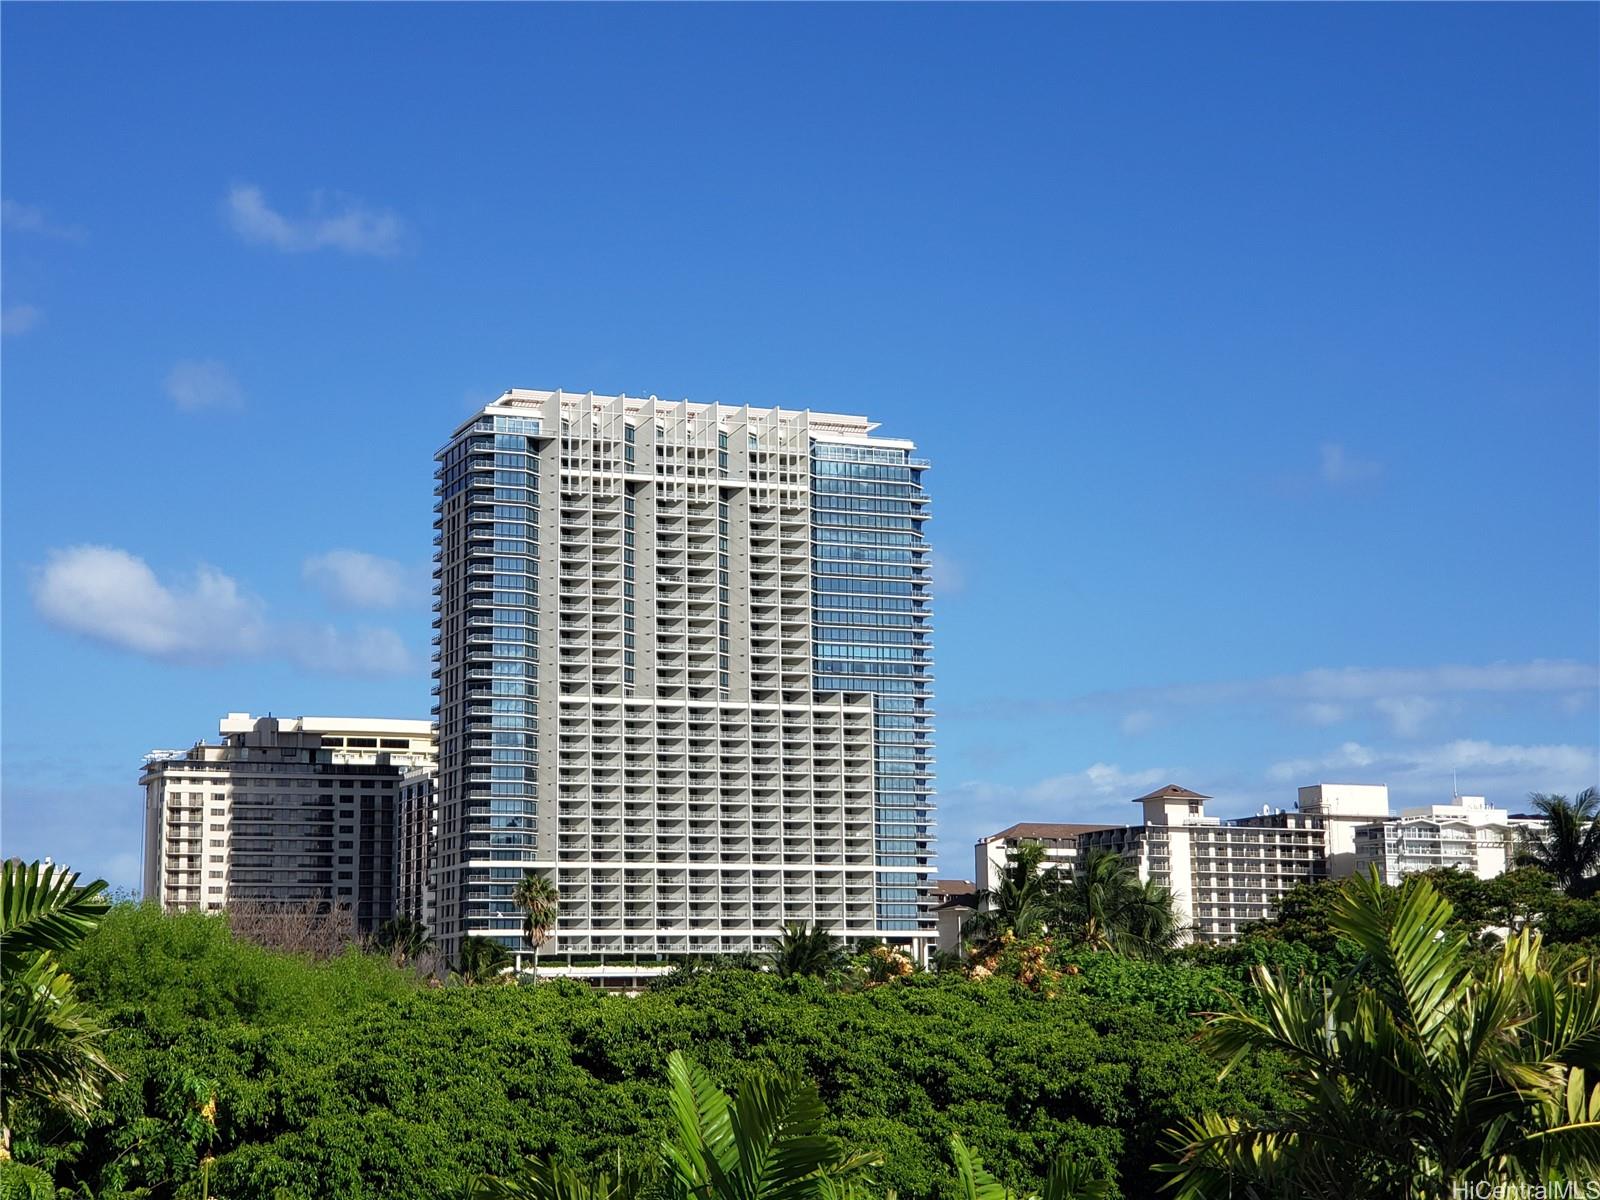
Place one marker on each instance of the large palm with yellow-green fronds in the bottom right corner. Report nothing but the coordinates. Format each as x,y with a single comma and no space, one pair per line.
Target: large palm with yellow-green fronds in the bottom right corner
1417,1074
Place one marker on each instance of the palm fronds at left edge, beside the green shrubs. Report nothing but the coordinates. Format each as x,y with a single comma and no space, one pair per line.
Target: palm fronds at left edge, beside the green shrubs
50,1042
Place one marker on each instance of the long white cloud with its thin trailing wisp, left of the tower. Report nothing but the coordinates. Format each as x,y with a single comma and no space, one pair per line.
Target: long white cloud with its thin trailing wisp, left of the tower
116,599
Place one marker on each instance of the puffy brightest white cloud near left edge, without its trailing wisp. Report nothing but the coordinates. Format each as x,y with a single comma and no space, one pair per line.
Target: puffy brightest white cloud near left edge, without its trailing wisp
113,598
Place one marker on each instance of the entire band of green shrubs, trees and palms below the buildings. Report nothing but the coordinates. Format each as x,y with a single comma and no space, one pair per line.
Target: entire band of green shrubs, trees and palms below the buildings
1046,1068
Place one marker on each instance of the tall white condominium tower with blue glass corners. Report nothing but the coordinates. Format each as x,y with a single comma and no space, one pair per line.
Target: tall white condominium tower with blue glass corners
684,668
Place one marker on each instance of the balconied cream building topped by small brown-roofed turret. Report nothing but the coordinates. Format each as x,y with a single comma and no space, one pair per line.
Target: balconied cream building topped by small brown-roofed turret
1222,874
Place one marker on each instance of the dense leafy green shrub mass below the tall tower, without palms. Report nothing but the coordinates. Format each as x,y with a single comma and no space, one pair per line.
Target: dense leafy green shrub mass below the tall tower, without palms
348,1079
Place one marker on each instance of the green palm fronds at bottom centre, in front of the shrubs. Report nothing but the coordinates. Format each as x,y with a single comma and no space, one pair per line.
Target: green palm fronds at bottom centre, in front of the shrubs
766,1145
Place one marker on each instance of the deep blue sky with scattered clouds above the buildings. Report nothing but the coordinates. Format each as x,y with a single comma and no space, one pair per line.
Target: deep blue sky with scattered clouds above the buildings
1255,350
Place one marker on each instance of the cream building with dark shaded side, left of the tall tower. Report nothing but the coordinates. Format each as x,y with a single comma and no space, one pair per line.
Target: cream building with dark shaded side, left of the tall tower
282,812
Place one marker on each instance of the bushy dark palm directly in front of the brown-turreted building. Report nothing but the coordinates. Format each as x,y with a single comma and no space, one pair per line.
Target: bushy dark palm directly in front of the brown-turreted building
1103,905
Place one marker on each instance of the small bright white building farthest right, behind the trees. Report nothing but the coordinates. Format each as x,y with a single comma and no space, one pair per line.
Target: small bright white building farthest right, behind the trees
1466,834
